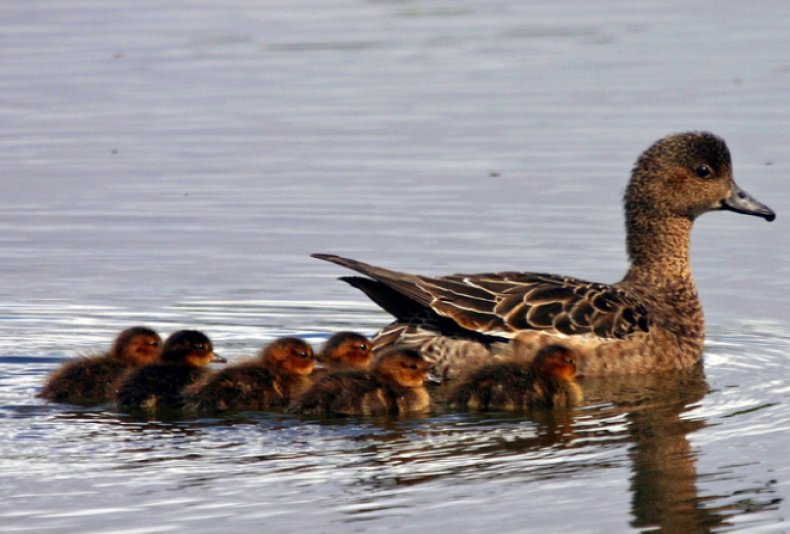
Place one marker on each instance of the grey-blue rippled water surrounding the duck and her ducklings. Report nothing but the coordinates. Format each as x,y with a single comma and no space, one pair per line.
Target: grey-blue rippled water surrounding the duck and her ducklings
174,165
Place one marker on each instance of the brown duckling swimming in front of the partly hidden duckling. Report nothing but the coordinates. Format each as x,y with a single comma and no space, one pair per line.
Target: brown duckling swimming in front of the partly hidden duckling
395,385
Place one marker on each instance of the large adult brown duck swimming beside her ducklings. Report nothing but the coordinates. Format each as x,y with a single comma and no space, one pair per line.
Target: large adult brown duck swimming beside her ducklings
649,321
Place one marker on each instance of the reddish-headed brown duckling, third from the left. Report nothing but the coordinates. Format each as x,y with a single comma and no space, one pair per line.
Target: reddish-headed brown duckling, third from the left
281,373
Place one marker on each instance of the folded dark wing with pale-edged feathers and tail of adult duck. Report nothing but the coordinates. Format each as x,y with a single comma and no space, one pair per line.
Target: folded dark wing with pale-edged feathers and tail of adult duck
503,304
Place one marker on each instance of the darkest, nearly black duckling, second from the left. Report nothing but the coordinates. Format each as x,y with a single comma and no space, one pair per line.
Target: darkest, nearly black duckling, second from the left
159,386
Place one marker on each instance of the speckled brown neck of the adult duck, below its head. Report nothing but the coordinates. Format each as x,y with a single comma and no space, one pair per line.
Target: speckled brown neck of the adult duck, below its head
659,253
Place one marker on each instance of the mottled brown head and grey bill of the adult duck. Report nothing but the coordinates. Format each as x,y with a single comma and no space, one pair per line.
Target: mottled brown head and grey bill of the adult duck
685,175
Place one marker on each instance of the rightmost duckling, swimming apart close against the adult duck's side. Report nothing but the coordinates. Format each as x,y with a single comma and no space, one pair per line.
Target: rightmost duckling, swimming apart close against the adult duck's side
549,381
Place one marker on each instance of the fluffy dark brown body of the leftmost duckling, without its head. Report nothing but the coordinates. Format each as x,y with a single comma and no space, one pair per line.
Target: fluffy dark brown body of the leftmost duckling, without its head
84,380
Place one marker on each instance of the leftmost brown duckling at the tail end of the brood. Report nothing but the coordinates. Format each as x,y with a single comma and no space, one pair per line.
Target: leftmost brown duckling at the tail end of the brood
92,379
